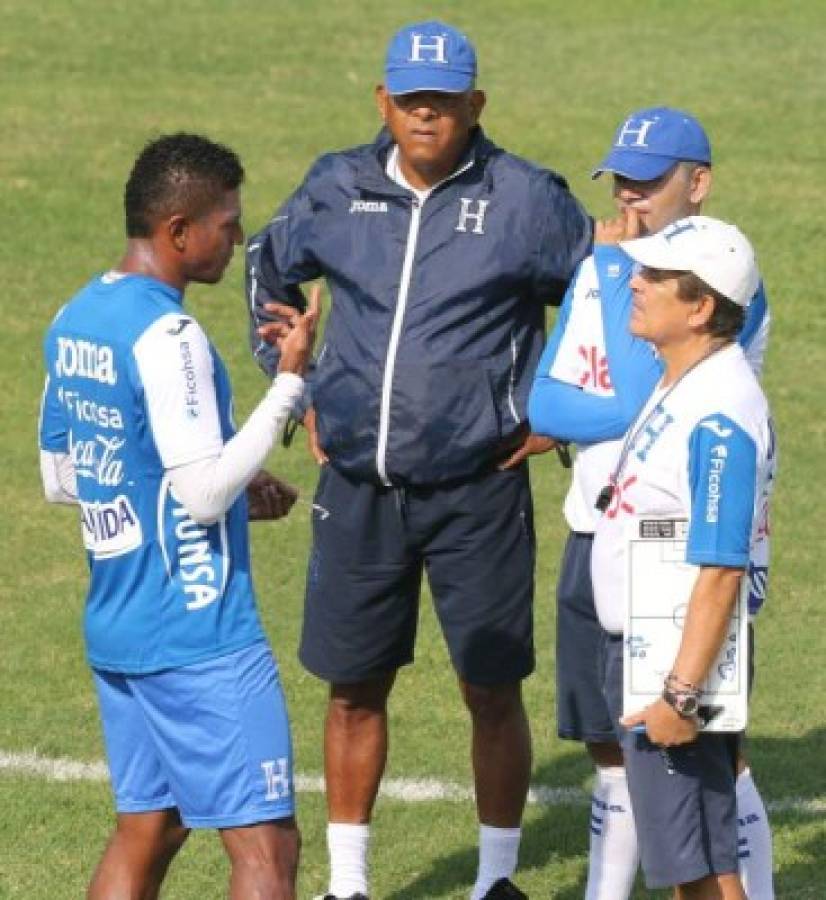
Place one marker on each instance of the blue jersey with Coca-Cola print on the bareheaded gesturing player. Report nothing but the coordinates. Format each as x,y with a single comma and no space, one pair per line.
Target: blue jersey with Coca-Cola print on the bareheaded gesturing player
133,389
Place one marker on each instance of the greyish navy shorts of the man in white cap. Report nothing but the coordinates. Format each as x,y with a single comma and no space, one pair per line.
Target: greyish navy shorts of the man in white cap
686,821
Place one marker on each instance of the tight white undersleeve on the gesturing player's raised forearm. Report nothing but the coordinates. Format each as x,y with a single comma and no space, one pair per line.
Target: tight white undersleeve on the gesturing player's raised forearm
207,487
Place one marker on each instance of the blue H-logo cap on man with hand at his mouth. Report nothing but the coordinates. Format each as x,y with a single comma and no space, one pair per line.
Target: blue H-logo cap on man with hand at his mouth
651,141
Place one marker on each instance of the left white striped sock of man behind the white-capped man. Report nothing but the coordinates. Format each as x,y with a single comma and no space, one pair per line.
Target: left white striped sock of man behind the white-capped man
614,855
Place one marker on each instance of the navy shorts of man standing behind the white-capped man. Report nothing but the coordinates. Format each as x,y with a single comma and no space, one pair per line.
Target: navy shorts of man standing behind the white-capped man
581,711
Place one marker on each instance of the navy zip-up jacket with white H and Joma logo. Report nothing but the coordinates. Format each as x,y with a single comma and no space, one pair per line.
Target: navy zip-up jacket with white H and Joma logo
437,315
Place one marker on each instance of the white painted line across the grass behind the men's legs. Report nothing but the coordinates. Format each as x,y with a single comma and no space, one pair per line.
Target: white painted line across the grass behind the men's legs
409,790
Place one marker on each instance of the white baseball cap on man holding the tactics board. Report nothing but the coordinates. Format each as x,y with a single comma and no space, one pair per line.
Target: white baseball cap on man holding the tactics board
713,250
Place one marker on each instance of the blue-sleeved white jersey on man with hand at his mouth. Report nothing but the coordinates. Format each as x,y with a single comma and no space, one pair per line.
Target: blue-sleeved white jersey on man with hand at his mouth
594,376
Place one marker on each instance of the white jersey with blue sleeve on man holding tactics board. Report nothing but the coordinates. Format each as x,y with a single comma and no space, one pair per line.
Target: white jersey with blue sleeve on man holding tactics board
704,451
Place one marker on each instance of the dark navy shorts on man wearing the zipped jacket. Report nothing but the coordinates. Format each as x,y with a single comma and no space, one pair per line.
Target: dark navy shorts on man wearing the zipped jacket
370,547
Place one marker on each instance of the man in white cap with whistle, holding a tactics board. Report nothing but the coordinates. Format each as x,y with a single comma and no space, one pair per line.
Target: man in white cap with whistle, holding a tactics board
702,449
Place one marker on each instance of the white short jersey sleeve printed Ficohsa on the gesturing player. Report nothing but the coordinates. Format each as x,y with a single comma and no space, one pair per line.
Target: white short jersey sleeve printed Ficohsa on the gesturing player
175,367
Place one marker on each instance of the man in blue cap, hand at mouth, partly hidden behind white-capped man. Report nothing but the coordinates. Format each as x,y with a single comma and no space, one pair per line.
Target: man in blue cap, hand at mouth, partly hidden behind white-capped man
592,380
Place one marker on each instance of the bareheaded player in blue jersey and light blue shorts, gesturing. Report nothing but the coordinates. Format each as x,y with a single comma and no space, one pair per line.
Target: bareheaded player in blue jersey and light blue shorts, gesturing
136,429
